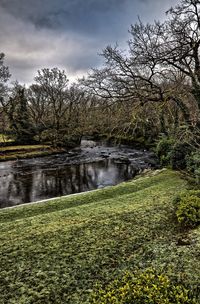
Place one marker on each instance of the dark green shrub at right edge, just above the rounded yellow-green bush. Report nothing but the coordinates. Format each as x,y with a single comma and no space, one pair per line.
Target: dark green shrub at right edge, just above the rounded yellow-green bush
193,165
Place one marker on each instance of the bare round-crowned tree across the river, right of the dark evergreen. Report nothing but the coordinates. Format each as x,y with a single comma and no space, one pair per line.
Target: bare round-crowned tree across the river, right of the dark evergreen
54,106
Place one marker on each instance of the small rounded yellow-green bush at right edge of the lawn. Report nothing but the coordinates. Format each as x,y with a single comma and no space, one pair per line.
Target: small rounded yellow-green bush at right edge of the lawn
188,208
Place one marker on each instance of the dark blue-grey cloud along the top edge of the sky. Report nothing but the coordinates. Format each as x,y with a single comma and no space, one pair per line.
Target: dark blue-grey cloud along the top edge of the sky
87,17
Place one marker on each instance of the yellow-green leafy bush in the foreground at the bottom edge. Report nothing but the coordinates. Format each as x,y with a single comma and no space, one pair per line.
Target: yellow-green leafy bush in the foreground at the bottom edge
148,287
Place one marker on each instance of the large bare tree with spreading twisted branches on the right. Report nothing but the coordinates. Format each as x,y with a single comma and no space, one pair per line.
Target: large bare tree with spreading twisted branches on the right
161,63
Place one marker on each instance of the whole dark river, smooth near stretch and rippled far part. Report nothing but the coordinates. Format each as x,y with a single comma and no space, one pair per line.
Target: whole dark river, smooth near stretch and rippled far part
90,167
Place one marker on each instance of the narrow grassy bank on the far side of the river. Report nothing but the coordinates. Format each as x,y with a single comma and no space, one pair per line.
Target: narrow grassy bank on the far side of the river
26,151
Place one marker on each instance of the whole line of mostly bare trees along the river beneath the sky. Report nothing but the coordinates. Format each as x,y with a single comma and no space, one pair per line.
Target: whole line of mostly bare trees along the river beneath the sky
151,88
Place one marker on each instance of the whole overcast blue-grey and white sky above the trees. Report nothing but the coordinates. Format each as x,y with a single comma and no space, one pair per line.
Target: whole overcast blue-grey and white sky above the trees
68,34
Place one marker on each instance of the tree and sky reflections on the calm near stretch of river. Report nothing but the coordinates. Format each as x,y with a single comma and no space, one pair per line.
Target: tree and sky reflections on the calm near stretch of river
34,183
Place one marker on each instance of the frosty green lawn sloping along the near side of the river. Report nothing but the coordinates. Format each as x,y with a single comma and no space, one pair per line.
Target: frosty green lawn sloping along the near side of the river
54,252
